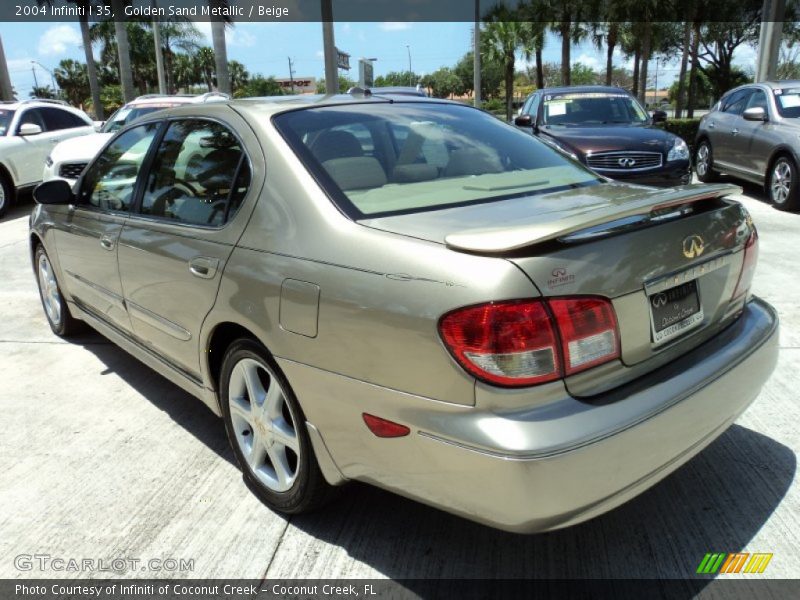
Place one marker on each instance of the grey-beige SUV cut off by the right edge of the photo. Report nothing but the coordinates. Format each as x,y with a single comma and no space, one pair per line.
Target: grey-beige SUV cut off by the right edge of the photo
752,133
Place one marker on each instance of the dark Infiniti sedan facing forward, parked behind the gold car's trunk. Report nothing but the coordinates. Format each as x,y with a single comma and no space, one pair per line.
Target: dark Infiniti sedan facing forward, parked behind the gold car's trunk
607,129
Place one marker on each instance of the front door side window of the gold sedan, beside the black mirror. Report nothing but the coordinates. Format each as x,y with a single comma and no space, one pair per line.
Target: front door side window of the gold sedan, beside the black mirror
110,182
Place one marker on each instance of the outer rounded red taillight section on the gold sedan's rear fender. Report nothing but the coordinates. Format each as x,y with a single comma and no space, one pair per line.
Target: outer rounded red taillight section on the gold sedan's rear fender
506,343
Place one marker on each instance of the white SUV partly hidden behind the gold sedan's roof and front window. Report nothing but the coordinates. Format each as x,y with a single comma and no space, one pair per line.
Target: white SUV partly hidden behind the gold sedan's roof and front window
68,159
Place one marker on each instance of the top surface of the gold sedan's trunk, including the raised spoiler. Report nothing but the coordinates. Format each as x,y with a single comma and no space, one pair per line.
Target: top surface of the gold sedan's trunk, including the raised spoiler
508,225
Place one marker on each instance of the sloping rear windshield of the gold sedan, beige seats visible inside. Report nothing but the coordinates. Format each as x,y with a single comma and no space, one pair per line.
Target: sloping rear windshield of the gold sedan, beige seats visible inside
384,159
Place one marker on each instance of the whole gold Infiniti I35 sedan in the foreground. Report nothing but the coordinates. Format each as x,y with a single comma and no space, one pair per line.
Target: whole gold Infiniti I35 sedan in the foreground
411,293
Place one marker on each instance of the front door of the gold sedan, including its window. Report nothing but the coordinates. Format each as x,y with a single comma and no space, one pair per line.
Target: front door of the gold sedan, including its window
88,241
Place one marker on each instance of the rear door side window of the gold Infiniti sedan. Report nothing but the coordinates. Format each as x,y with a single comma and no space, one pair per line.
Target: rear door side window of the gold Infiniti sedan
194,177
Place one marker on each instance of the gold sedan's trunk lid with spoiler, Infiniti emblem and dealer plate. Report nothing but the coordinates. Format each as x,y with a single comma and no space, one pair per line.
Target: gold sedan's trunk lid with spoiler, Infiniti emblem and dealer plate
680,249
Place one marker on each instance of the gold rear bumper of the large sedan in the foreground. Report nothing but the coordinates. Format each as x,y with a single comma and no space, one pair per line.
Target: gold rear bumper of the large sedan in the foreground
559,463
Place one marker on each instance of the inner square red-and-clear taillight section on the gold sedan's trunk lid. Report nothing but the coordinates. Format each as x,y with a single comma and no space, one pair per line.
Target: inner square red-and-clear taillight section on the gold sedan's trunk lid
588,329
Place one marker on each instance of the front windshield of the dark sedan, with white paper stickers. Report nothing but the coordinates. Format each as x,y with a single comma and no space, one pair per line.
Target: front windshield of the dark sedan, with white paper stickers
592,109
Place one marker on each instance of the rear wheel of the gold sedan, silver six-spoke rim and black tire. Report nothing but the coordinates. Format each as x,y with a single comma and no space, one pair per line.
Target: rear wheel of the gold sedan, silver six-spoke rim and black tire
268,436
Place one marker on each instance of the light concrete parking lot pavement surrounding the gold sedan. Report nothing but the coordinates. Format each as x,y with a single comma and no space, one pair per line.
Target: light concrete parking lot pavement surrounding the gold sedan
101,458
